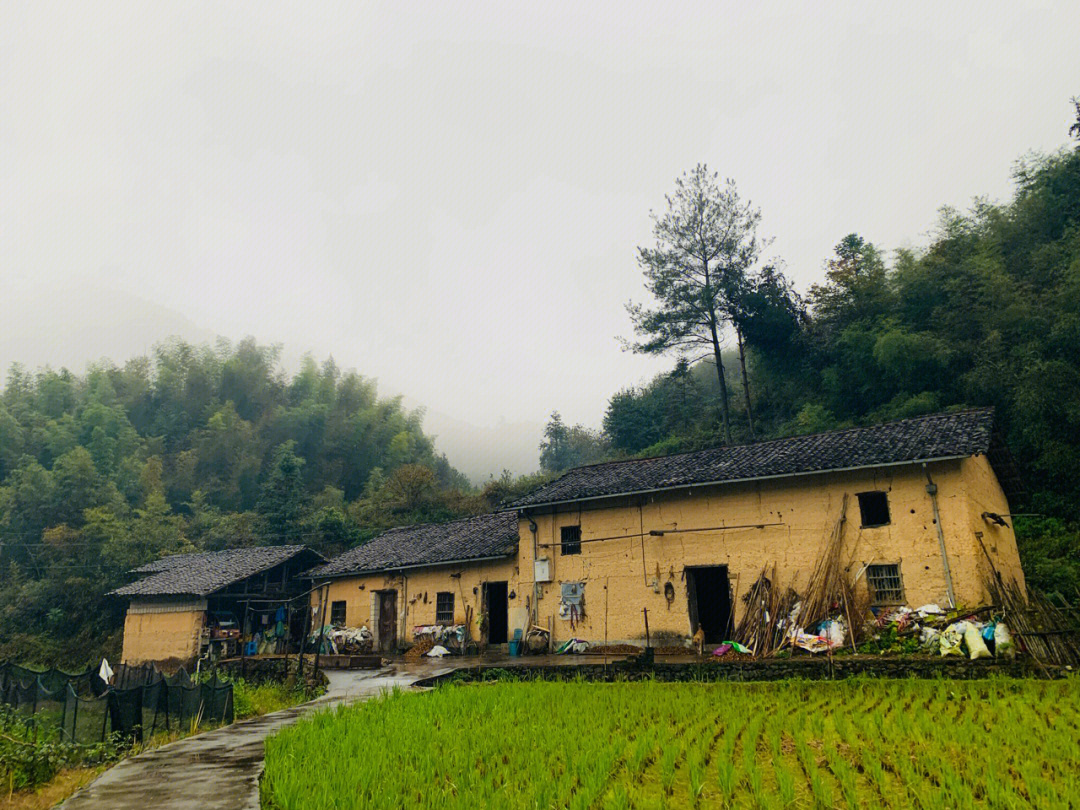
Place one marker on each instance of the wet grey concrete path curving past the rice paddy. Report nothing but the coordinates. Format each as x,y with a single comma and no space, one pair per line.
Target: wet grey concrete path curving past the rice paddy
221,769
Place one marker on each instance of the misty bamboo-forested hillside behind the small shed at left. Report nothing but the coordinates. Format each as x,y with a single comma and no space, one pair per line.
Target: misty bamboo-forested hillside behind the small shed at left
194,449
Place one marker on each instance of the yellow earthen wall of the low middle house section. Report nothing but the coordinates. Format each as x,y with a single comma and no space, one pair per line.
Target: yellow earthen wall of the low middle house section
416,595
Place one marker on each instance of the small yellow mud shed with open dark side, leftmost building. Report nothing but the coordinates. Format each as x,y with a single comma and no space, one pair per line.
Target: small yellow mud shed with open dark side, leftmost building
172,607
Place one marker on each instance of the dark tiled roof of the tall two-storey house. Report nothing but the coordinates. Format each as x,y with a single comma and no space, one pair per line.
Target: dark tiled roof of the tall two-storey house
922,439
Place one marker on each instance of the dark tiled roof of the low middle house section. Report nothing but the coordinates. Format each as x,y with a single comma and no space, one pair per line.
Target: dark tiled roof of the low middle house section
433,544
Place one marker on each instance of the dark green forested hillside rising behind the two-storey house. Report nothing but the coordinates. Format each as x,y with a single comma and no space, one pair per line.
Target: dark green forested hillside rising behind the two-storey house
988,315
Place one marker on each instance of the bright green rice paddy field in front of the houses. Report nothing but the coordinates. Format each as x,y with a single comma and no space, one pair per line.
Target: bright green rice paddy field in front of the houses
998,744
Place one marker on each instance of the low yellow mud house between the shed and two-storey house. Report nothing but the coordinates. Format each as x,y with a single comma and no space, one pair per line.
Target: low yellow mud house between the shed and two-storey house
463,573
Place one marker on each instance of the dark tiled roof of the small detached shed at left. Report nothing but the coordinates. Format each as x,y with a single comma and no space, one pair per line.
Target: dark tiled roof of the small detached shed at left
199,575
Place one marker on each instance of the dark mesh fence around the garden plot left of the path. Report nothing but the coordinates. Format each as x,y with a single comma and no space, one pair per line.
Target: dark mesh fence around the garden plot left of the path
140,703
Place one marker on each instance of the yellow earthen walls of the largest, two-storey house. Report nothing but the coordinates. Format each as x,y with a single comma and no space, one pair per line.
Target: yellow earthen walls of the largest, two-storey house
798,516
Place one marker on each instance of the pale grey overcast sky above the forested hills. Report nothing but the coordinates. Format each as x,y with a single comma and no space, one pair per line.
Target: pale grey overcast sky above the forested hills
449,196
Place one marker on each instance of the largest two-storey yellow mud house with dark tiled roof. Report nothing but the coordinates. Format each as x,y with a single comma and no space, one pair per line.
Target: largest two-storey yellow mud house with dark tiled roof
685,536
